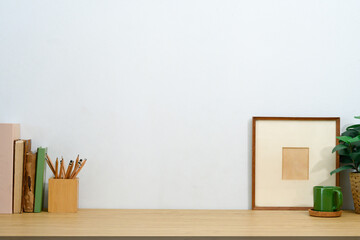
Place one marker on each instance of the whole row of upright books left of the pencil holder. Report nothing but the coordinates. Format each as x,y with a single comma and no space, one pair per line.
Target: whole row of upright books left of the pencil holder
21,172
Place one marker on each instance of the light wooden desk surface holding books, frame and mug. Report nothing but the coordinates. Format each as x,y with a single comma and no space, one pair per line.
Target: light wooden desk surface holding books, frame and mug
106,222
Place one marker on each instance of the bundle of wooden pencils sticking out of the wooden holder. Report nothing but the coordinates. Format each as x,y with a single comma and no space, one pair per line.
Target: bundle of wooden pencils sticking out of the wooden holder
73,169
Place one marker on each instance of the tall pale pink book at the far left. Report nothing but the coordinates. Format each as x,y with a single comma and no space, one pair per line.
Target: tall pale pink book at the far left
8,134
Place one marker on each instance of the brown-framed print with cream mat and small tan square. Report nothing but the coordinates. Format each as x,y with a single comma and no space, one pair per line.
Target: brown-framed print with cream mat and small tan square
290,156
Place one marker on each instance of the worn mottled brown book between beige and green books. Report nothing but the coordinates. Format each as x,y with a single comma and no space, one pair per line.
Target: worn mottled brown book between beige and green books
29,183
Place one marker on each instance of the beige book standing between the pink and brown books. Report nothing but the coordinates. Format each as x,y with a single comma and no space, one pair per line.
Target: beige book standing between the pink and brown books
18,175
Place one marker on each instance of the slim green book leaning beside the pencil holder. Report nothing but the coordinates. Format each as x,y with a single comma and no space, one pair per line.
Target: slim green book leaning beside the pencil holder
39,178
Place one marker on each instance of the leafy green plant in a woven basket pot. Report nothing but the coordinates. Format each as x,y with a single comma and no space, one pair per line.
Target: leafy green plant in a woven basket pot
349,151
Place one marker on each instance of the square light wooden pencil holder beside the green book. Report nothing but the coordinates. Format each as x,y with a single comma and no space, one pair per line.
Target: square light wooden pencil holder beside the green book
63,195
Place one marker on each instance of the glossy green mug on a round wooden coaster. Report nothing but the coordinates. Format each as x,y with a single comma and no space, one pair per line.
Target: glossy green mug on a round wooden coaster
327,198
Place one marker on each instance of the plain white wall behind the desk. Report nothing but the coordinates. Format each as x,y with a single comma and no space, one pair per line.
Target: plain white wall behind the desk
159,95
